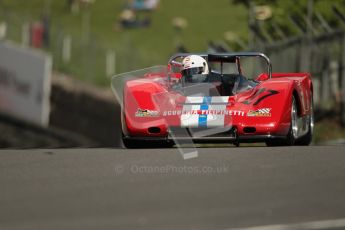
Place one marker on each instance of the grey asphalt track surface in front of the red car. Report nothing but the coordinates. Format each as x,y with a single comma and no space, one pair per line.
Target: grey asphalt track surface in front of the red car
223,188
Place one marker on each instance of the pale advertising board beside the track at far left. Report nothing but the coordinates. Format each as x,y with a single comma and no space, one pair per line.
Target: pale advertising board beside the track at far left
25,82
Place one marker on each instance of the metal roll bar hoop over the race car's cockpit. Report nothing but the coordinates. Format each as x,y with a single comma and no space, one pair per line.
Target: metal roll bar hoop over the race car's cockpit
224,57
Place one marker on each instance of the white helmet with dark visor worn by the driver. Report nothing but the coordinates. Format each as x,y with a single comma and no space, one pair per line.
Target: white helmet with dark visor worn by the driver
194,64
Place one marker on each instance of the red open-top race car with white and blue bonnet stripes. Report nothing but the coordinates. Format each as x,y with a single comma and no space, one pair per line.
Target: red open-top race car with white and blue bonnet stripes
210,98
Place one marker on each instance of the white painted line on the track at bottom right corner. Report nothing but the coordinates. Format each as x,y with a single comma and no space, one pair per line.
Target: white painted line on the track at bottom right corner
324,224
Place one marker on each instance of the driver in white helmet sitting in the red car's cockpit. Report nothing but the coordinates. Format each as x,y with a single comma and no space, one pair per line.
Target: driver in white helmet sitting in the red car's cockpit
194,69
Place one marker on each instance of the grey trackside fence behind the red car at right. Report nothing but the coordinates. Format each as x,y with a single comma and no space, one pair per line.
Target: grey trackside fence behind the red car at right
324,57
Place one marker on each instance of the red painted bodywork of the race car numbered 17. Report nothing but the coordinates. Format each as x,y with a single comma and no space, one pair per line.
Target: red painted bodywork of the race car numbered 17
154,94
